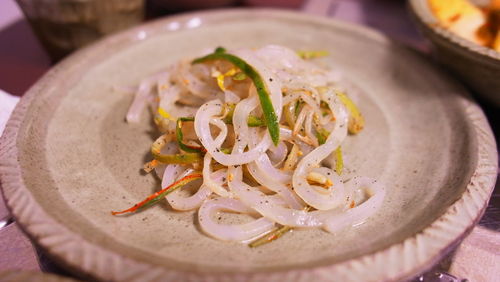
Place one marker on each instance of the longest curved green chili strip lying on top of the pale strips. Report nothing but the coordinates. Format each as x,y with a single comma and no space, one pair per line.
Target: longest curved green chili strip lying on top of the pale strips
270,118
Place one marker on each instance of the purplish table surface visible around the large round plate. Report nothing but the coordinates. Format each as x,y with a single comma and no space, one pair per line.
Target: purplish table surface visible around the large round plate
23,62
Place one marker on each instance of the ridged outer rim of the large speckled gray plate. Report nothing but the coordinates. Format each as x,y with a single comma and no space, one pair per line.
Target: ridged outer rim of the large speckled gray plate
406,258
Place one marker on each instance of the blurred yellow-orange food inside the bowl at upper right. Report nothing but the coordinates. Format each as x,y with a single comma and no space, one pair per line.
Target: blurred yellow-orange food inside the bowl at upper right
476,24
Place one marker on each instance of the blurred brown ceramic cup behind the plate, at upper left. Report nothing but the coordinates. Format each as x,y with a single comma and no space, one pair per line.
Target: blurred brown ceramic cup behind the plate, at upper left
63,26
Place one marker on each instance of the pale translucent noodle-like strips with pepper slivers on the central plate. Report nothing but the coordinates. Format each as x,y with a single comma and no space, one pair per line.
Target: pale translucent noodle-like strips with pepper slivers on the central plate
256,132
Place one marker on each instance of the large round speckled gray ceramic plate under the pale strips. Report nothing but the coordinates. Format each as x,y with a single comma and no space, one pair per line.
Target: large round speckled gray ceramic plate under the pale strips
68,158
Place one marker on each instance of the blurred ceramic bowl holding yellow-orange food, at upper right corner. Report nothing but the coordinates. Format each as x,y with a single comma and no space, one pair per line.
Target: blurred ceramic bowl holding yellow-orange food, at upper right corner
475,65
